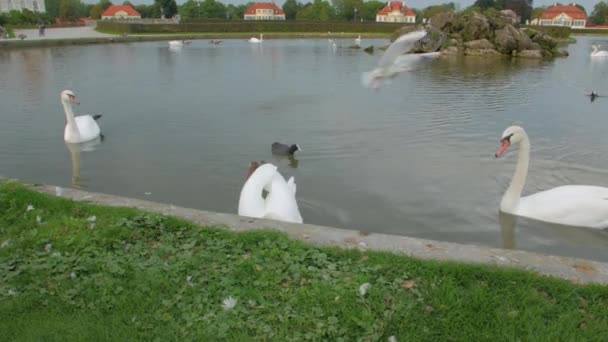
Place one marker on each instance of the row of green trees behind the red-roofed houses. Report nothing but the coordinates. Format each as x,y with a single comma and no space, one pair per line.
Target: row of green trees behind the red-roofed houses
71,10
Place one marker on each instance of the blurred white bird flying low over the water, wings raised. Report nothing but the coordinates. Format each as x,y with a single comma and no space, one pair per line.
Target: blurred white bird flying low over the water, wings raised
393,62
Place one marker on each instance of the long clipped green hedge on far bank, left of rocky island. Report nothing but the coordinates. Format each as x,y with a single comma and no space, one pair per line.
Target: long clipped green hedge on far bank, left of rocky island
251,26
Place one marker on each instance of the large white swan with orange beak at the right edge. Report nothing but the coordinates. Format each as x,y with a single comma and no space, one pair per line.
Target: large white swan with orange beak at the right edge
572,205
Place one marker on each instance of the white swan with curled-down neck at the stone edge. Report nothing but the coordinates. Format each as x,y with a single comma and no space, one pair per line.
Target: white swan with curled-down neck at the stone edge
280,203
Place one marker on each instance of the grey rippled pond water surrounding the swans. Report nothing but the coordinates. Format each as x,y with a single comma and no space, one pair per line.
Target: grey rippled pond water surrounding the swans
415,158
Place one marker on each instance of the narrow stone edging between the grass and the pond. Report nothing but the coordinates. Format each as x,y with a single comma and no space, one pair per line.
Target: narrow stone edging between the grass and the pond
576,270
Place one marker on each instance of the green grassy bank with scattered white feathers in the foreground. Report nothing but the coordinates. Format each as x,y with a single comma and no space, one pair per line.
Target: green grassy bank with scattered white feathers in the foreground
76,271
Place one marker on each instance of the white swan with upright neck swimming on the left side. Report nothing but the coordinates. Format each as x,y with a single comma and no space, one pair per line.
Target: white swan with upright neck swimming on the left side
81,128
